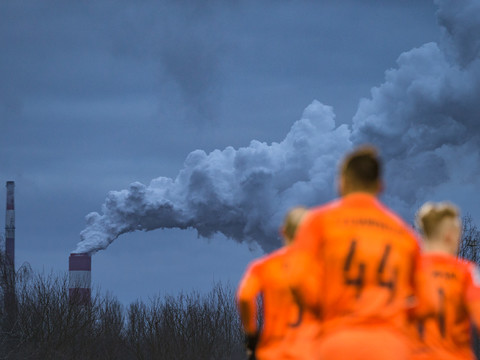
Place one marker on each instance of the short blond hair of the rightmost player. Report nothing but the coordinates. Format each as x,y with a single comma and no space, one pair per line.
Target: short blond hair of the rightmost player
431,216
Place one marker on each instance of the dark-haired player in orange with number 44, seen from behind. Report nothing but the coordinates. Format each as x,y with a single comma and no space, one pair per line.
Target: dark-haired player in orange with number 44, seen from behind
367,257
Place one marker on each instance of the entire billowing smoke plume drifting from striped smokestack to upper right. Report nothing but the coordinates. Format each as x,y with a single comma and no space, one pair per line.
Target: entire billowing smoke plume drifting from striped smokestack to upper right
427,109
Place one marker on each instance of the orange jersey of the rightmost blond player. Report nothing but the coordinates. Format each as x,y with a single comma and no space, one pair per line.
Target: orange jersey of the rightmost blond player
449,297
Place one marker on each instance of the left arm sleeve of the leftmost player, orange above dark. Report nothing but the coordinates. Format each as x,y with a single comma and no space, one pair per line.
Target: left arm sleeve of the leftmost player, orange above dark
247,293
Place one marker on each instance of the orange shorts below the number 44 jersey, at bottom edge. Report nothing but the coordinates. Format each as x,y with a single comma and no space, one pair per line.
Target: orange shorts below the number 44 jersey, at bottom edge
364,344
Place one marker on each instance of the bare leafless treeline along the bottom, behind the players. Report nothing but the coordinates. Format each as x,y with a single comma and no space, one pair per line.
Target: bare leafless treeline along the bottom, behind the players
38,320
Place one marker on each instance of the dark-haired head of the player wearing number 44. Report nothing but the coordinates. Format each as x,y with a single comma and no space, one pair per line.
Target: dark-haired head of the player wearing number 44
361,171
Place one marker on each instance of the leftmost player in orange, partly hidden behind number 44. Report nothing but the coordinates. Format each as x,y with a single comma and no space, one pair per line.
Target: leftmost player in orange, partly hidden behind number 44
288,332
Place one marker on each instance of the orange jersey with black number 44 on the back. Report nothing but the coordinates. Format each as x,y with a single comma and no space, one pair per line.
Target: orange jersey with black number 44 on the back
367,258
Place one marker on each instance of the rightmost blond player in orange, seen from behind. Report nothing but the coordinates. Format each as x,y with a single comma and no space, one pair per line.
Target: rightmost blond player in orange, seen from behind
449,288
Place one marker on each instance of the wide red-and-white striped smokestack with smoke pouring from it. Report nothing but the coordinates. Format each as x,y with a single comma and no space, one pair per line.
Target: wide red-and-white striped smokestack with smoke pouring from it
80,277
